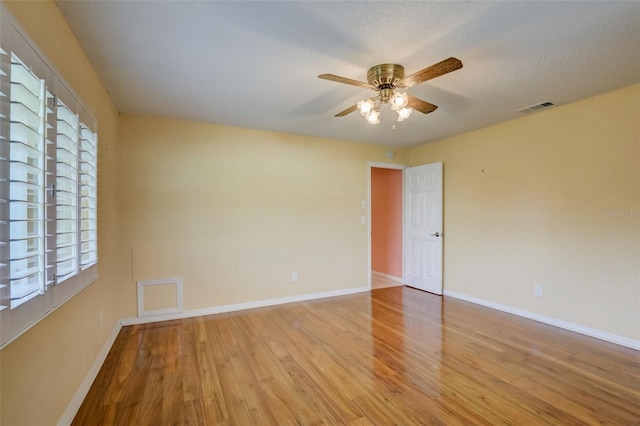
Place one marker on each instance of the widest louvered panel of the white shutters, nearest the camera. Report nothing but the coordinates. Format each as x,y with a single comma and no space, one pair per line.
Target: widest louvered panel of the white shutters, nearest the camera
26,184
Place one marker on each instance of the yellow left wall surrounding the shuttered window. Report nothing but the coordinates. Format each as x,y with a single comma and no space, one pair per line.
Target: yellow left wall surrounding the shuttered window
41,370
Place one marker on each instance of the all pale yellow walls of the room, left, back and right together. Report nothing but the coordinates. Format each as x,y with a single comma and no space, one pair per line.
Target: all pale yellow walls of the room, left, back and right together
235,211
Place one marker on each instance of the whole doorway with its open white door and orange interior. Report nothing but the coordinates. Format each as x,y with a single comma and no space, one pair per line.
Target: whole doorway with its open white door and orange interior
405,226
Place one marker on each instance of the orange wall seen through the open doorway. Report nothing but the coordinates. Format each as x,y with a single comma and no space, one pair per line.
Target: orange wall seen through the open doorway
386,221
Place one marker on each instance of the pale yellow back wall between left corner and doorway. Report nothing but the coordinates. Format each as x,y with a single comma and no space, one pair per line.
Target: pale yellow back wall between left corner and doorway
235,211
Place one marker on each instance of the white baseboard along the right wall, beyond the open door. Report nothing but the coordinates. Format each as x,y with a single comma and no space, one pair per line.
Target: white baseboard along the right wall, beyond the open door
598,334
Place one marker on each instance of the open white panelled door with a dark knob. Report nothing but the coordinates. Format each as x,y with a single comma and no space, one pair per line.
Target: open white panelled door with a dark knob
423,227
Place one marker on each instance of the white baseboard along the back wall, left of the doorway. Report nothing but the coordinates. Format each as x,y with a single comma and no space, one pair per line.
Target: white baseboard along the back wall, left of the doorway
242,306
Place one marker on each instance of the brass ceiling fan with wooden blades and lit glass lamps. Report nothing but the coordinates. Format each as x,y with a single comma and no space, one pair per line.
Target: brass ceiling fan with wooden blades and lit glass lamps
387,80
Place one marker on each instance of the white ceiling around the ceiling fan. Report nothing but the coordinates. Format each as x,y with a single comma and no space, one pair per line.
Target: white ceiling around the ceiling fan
255,64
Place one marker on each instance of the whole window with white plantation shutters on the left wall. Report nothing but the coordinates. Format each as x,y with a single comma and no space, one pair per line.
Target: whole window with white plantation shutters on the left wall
48,188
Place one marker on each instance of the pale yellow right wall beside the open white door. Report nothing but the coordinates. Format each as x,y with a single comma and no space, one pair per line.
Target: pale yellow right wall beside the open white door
526,203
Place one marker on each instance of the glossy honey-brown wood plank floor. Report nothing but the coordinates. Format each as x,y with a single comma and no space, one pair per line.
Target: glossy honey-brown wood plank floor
389,356
